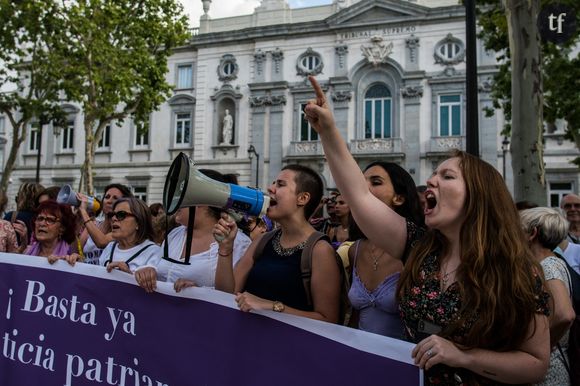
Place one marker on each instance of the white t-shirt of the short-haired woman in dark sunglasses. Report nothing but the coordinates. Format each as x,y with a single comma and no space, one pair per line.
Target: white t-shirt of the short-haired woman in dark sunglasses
141,257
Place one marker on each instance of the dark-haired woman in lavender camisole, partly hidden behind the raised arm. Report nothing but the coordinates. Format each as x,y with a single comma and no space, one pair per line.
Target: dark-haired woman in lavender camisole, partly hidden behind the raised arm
375,273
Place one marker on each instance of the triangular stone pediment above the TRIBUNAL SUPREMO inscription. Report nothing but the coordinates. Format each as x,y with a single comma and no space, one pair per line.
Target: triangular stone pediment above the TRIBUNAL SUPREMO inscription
370,11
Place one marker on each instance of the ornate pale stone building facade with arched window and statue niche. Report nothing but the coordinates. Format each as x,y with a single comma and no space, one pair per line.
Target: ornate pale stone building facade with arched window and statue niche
393,71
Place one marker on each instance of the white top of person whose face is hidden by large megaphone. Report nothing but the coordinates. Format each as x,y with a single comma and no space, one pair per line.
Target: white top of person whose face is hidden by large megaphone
202,266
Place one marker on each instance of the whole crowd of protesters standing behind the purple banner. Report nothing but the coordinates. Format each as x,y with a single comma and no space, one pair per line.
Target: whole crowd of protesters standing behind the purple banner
453,266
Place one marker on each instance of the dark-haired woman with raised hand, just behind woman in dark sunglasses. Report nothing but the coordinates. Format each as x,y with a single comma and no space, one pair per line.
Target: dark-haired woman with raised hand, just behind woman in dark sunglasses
98,232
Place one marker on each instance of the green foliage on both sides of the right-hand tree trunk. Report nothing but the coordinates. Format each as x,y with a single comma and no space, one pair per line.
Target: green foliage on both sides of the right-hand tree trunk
560,68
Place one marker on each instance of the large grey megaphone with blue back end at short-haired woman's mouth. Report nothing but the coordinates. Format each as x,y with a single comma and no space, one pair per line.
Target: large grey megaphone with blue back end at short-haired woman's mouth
185,186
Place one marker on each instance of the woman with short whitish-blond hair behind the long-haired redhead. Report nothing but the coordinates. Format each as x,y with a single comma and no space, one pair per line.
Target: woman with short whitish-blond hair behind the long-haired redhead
546,228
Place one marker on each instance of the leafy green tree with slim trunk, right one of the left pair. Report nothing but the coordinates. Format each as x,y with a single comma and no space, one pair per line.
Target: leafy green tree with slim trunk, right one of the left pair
114,62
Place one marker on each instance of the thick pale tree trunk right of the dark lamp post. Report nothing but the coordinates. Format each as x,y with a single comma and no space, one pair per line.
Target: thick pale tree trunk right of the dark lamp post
527,101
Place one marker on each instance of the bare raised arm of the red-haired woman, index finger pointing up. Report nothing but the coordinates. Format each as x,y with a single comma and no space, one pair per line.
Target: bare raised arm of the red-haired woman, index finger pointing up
374,217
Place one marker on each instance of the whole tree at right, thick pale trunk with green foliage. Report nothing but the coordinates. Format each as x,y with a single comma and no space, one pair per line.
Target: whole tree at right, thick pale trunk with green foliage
555,79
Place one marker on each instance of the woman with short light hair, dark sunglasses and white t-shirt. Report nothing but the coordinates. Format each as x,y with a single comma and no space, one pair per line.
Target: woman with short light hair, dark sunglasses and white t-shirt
131,231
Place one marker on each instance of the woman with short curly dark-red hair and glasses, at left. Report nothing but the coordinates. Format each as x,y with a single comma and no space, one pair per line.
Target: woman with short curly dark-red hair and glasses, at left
54,231
